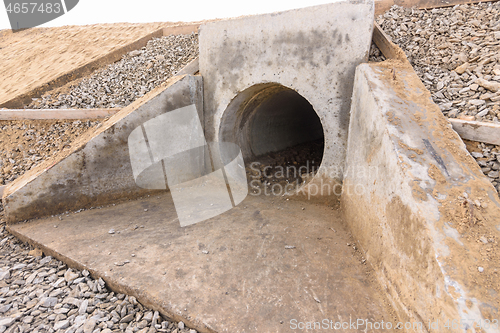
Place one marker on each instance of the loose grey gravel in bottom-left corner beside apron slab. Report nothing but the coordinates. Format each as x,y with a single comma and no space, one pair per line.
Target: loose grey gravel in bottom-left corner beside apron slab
44,295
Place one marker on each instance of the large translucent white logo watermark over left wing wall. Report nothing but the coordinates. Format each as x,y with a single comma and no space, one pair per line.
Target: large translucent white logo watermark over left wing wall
170,152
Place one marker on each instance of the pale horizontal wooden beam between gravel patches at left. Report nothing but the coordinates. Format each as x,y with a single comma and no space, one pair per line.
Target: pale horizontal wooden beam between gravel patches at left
19,114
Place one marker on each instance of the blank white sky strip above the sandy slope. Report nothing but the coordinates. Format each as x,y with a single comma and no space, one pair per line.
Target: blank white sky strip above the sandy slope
139,11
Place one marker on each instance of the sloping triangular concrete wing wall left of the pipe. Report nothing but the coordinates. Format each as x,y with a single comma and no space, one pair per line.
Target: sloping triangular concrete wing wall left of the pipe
96,169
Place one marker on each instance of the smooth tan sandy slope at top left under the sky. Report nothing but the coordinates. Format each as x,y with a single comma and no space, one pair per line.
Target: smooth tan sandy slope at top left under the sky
36,56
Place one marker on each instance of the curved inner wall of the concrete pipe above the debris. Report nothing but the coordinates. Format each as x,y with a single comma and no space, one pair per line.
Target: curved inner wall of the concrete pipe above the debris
269,118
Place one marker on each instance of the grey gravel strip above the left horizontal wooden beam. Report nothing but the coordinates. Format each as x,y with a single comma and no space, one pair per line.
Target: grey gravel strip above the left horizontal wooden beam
121,83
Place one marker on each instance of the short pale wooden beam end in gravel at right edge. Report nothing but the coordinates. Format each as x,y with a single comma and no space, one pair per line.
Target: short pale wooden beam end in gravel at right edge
477,131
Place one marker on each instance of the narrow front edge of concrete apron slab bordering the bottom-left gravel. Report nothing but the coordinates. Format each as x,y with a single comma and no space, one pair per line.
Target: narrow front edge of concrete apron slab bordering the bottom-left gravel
142,296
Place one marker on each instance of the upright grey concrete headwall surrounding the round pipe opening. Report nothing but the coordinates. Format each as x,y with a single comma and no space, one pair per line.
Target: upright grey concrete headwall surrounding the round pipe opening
313,51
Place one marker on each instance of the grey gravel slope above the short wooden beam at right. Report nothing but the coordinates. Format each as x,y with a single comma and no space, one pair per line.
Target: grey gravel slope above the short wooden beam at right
456,53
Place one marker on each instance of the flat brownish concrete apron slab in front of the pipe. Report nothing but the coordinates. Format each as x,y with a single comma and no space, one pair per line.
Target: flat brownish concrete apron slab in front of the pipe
232,273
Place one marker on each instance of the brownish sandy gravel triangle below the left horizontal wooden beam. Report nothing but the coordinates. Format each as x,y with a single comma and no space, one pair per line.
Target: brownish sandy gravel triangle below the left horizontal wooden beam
25,144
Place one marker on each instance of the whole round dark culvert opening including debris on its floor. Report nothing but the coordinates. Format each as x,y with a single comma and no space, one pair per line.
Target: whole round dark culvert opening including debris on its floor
277,128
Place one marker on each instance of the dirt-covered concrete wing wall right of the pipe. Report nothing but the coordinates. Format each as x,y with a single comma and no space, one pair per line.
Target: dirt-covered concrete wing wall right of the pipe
435,251
